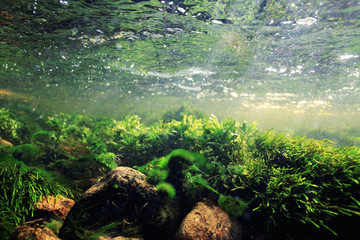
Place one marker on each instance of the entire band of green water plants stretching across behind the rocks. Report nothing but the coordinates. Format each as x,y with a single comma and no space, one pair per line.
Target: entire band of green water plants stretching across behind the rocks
280,179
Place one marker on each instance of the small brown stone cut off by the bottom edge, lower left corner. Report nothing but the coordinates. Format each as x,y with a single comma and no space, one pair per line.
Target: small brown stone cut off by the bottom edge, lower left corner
35,233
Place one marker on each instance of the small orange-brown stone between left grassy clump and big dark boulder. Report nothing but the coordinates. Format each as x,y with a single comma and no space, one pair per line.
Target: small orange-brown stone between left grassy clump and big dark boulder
59,206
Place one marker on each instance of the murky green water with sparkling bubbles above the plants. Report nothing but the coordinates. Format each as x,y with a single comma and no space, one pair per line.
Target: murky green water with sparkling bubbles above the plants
289,65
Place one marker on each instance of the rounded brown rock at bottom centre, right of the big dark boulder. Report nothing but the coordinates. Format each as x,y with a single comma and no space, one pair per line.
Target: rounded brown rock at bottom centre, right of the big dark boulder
206,222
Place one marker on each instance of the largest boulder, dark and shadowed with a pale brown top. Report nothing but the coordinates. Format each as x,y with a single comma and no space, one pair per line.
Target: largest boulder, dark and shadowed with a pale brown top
122,202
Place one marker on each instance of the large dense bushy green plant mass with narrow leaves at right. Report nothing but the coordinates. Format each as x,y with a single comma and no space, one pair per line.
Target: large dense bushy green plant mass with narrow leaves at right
299,179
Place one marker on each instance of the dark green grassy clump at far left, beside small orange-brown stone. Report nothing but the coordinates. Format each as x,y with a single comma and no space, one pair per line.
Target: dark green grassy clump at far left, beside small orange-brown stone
20,190
